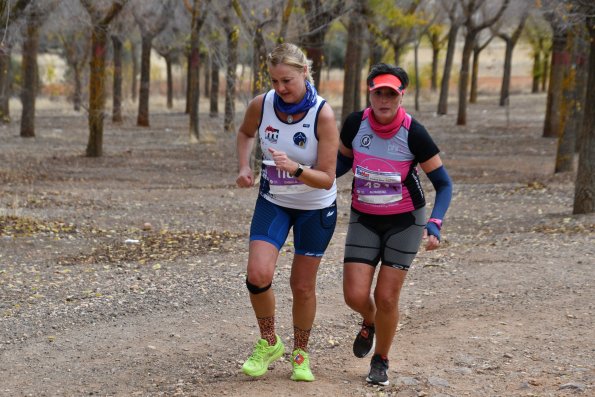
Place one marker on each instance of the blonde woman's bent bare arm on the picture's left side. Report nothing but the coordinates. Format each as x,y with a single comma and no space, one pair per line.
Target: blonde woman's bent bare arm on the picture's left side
245,141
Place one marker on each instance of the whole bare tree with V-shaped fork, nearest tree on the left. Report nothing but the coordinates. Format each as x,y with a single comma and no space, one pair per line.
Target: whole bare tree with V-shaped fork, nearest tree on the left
101,15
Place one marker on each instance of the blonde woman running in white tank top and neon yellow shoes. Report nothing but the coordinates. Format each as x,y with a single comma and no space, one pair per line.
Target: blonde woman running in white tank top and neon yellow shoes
299,139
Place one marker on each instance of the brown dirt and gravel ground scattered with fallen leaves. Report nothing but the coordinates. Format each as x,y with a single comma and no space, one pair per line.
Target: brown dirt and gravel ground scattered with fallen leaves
506,308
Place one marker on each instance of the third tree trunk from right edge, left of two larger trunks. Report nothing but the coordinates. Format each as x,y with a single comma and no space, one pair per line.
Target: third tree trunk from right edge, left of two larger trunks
560,61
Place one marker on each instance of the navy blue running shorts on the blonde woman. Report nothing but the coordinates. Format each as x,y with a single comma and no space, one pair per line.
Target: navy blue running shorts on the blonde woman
312,229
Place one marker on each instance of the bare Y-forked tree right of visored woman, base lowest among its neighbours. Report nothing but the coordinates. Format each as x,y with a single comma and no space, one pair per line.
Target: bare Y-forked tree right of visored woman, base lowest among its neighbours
473,26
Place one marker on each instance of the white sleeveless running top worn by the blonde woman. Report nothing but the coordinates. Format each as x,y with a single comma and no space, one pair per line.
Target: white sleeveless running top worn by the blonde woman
300,141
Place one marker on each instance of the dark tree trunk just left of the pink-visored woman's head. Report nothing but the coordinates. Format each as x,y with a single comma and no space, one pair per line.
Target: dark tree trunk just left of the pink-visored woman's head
351,79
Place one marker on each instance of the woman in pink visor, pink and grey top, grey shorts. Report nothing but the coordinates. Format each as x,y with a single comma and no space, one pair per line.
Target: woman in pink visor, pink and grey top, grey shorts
383,145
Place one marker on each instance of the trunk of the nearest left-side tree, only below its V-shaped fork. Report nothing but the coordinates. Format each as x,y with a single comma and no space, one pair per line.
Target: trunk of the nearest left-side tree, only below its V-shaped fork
97,92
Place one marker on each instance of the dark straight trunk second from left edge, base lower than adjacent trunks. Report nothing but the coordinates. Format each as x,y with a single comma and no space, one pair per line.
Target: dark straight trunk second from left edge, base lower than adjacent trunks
29,71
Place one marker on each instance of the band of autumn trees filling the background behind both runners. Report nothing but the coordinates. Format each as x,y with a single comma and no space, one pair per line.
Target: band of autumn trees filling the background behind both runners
104,40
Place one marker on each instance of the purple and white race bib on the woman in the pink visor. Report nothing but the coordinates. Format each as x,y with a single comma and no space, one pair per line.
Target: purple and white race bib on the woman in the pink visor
377,187
